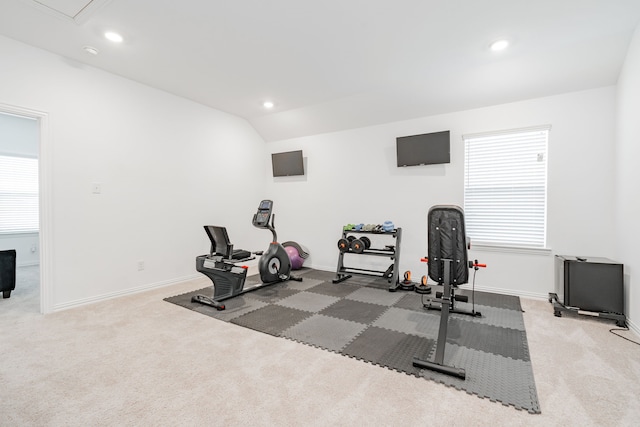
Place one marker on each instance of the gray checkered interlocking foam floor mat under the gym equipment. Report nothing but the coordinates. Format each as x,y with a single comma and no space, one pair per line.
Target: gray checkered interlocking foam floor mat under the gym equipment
361,319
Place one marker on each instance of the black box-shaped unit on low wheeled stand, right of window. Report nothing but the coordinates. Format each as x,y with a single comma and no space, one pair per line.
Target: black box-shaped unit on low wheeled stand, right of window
593,286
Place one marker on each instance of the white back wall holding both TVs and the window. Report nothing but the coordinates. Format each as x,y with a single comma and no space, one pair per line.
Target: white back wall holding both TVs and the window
352,177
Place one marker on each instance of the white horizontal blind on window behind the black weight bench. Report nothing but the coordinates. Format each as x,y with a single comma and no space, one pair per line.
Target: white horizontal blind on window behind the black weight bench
505,188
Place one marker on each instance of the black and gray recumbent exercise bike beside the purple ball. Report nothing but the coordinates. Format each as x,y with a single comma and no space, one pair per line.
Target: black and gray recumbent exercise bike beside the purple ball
221,264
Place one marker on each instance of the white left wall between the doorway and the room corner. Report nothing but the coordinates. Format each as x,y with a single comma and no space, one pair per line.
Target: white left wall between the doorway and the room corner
166,166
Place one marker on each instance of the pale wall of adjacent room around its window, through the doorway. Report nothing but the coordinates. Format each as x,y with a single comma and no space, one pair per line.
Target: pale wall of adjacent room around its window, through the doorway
19,137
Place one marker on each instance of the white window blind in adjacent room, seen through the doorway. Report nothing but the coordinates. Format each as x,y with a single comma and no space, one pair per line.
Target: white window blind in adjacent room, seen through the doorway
18,195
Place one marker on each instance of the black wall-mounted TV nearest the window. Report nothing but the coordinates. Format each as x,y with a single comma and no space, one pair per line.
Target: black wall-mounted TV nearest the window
426,149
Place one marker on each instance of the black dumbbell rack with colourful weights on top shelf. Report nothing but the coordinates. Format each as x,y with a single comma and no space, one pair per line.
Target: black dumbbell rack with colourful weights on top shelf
343,273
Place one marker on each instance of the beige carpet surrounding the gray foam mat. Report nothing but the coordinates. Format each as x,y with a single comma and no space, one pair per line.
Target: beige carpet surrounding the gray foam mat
138,360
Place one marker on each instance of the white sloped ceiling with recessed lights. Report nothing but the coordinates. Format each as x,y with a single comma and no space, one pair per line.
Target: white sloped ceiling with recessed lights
338,64
